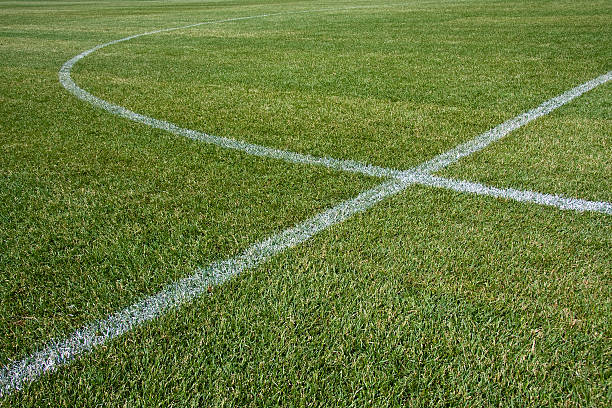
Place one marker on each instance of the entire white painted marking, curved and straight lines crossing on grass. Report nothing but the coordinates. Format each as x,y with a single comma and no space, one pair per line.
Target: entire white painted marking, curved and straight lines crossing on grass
56,353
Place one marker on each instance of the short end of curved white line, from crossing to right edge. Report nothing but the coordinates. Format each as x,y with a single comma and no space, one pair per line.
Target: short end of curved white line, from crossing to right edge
563,203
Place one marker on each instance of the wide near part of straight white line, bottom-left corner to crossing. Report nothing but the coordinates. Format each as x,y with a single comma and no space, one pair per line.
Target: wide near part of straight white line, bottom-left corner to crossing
57,353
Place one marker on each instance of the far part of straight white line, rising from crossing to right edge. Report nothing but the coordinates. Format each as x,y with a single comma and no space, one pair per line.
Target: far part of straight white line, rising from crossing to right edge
485,139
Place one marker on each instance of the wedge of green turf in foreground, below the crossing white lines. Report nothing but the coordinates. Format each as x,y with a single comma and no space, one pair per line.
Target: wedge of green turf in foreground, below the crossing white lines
411,303
